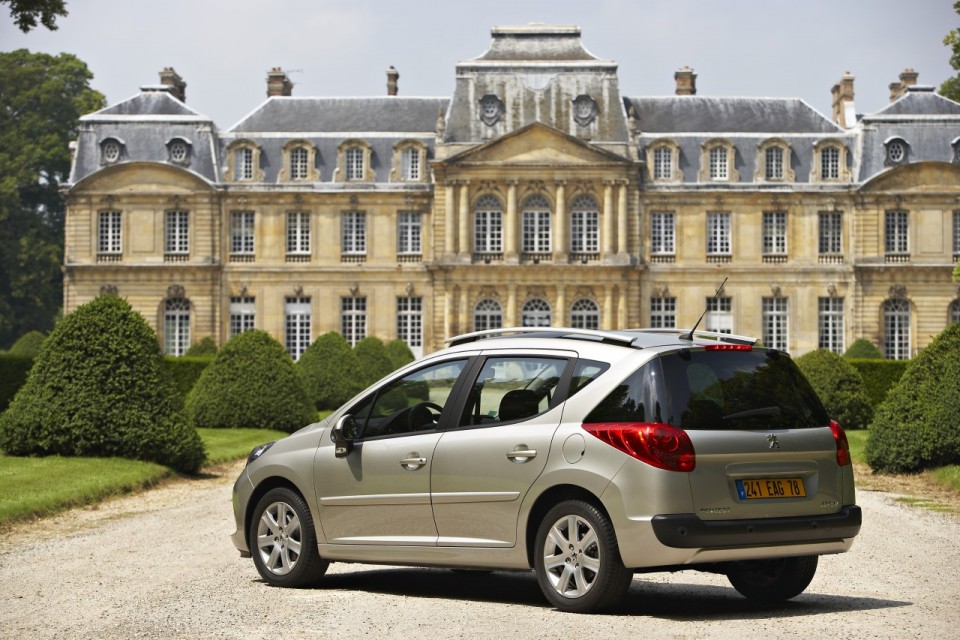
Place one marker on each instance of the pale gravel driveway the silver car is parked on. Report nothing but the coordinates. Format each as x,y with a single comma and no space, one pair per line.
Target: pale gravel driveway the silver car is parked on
160,565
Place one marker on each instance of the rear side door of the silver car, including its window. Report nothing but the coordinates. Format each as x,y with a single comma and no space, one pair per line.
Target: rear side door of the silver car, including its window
484,466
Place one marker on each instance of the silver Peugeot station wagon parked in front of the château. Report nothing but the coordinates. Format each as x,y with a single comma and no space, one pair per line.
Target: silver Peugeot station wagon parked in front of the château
586,456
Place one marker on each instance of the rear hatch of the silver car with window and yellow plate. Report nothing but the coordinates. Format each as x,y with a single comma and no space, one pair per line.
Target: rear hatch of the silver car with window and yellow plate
763,441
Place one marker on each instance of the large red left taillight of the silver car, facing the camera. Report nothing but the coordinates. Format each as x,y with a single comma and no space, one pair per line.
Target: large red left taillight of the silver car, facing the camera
659,445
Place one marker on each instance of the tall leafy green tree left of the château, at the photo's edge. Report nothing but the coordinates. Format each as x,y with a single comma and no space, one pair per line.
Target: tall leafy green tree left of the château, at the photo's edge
41,100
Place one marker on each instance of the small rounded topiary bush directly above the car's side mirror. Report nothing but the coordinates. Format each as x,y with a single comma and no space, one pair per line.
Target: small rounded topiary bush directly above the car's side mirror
330,371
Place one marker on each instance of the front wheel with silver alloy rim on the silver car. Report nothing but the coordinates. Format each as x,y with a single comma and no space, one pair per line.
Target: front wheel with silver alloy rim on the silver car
283,542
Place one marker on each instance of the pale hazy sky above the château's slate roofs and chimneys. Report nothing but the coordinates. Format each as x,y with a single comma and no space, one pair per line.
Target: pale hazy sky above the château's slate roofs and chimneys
223,49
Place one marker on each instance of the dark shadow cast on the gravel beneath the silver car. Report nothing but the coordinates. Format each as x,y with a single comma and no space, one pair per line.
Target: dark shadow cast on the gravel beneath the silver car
668,601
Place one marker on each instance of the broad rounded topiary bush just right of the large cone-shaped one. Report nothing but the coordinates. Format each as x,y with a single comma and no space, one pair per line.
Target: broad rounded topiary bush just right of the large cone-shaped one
251,383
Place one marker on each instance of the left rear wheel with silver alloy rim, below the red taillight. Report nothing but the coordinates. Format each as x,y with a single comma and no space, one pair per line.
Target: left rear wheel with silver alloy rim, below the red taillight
577,559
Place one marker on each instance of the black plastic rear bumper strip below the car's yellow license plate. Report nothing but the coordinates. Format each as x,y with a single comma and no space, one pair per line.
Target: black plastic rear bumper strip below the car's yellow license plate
687,531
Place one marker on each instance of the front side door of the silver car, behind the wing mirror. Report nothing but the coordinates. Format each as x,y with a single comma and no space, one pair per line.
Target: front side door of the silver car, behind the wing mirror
379,493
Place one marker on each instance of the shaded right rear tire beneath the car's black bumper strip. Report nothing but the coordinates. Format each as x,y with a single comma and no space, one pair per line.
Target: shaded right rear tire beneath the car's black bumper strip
772,580
